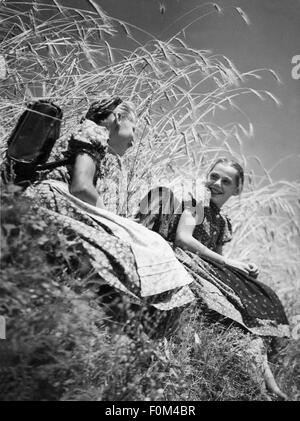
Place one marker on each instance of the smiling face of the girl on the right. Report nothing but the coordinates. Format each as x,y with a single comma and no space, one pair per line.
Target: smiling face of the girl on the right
222,183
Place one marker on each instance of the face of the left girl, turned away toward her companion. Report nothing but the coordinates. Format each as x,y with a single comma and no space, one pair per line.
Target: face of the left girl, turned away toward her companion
121,134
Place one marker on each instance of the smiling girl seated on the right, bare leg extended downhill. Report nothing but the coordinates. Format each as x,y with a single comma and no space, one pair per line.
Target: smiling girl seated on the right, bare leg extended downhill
227,287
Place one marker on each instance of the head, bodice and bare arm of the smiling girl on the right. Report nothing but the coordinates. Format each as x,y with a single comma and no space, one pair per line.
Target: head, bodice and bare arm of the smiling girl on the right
225,179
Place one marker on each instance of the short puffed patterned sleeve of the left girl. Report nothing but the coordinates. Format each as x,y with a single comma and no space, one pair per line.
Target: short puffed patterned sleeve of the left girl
88,138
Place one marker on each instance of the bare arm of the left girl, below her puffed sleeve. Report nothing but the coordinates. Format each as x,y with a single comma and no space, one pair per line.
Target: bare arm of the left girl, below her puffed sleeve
82,185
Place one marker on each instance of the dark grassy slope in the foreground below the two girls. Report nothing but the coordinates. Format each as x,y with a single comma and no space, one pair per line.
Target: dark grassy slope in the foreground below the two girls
62,345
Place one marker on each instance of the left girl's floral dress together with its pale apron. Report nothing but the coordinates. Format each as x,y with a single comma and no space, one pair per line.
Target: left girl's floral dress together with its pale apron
112,257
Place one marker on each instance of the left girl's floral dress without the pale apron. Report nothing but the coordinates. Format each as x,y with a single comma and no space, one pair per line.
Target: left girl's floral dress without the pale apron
111,257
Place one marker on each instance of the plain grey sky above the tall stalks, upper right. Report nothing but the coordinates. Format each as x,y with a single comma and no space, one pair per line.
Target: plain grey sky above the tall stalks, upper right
270,41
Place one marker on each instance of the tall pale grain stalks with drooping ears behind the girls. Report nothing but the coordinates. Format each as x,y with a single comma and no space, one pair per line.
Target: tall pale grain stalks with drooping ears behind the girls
179,91
